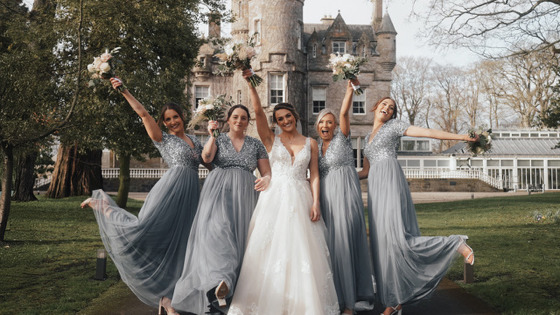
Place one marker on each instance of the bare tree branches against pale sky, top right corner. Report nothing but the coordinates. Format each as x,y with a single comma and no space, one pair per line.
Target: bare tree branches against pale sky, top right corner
491,27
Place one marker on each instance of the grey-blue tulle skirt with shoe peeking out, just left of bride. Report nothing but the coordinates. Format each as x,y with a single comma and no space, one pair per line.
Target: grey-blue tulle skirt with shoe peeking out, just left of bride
218,238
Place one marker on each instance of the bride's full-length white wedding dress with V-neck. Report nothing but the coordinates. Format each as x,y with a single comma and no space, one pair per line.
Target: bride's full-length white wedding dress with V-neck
286,268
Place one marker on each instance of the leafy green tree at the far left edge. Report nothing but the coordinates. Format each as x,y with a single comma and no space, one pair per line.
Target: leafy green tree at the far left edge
29,108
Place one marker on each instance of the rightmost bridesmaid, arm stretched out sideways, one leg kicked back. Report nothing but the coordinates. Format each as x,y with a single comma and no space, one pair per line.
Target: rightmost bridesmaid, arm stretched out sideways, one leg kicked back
407,266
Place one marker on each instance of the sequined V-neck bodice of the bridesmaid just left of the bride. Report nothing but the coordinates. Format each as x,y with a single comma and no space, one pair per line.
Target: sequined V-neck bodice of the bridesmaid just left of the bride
227,157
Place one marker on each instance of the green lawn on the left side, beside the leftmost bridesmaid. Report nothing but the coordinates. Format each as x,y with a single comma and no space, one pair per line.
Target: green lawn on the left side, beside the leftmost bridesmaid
47,261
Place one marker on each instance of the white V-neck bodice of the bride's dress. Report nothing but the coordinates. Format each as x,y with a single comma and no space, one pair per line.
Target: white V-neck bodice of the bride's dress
281,161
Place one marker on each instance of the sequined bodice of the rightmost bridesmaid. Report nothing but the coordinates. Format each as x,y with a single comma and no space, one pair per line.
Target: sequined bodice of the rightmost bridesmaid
385,143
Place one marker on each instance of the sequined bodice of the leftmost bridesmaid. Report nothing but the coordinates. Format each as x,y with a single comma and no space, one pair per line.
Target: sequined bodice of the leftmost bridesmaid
176,152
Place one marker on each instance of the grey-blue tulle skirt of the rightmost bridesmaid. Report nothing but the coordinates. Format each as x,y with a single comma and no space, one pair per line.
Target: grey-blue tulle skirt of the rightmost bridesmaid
407,266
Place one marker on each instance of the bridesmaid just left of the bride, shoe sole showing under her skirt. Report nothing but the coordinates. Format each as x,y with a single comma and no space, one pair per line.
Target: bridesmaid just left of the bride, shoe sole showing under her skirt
219,234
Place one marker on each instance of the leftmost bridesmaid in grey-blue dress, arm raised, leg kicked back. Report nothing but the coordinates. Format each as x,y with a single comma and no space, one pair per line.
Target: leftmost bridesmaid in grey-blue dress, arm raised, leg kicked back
149,250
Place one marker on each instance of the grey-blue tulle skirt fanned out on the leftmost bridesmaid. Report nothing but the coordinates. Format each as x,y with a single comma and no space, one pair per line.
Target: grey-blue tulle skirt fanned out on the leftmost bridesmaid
149,250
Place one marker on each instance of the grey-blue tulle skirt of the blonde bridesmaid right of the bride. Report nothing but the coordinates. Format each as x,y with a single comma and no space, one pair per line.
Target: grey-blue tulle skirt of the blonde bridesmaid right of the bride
343,211
